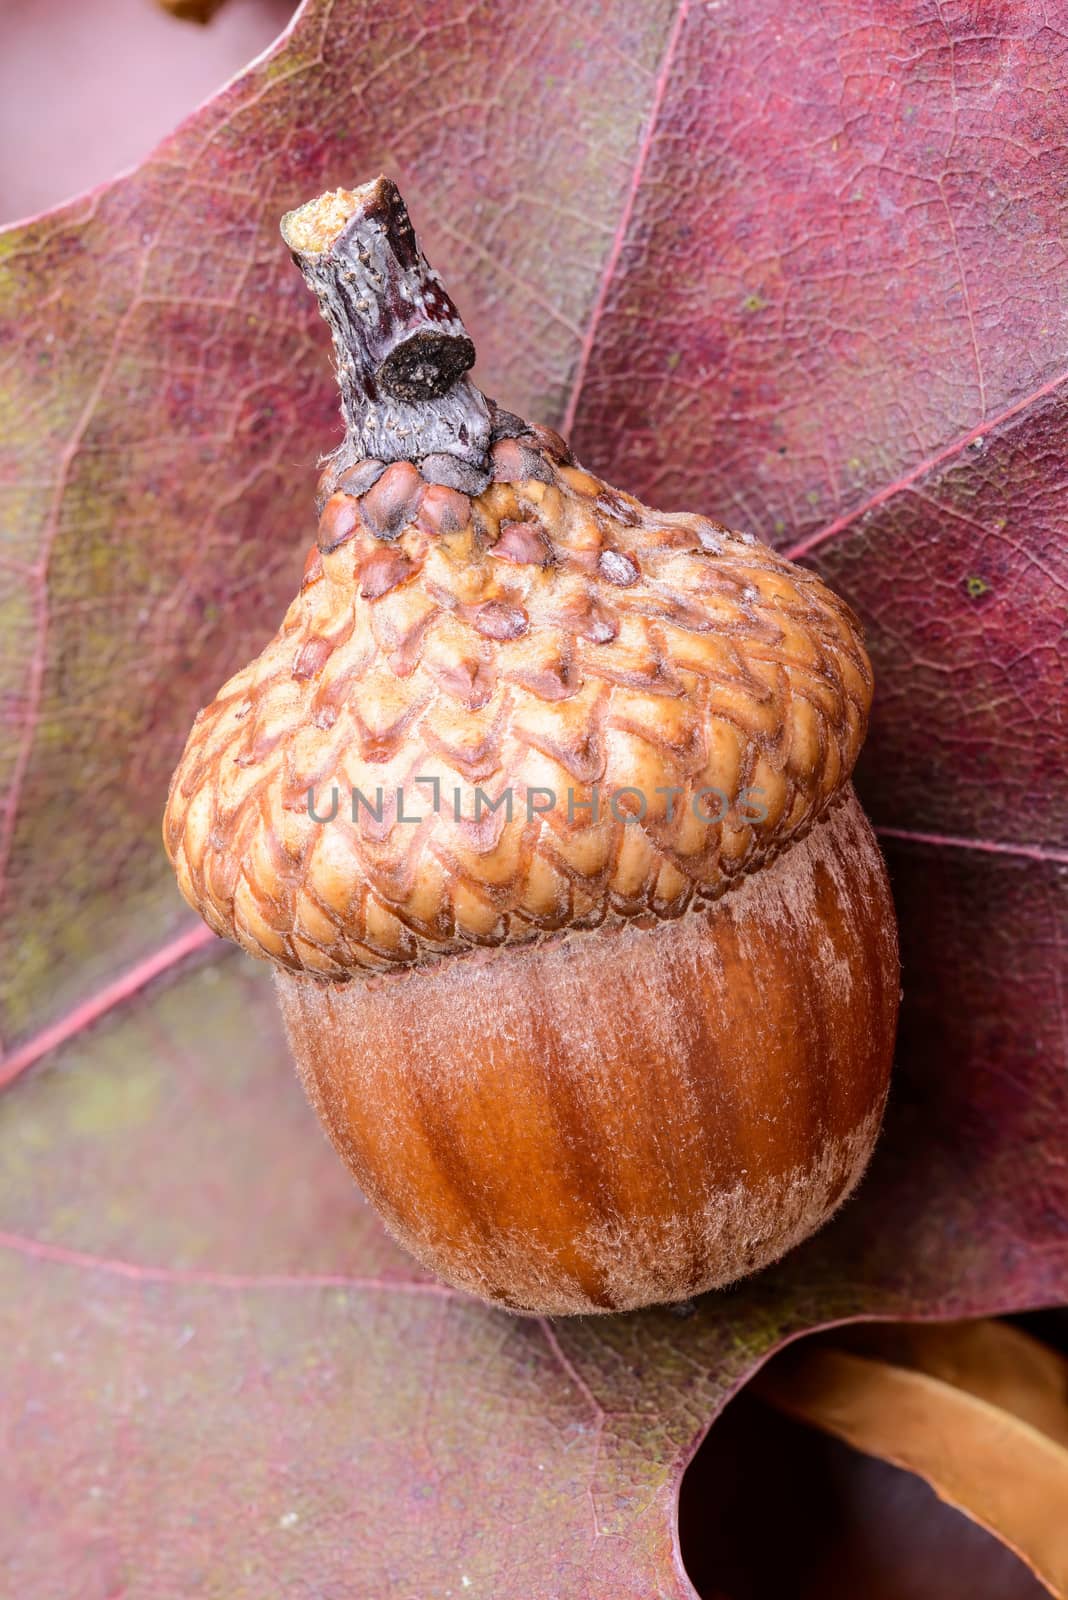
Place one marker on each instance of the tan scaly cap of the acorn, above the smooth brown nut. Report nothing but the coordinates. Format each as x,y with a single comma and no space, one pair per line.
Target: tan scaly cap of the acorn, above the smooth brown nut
498,716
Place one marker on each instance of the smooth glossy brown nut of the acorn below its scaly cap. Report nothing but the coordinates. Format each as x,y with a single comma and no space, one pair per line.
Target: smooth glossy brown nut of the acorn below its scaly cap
632,1114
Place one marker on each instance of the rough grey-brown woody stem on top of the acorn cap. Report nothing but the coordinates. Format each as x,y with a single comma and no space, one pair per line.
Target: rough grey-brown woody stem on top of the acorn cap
402,348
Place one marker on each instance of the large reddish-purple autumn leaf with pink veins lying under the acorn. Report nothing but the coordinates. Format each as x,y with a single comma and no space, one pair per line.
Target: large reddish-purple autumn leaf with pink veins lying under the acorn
800,271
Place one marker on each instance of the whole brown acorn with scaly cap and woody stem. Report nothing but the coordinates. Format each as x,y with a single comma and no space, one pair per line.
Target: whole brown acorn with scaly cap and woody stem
540,802
